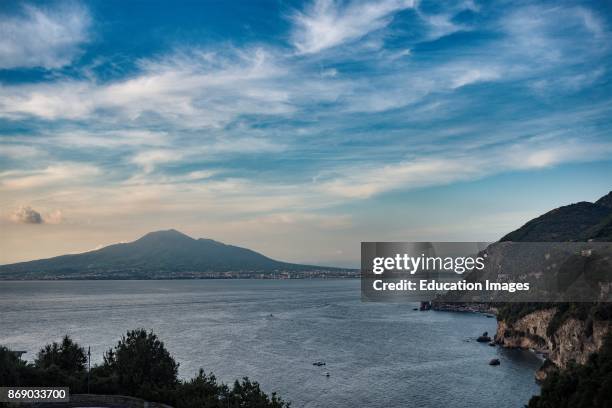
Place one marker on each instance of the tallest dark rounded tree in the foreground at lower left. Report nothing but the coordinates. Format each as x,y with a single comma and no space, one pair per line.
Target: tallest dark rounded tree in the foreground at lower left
141,364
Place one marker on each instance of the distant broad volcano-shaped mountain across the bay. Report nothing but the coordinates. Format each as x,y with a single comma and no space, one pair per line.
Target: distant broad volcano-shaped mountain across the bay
161,254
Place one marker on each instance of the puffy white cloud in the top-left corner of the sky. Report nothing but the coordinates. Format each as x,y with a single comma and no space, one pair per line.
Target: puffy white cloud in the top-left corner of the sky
43,36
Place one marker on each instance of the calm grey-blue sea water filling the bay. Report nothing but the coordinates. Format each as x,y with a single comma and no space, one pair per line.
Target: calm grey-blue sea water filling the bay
378,355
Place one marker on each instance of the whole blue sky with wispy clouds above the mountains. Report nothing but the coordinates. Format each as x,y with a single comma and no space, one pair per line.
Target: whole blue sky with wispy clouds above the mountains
297,129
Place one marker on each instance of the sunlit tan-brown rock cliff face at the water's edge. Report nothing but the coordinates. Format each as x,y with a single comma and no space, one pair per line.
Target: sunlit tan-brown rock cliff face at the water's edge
574,340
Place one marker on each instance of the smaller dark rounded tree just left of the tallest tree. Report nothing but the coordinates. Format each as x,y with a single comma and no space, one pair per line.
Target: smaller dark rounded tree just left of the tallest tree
67,356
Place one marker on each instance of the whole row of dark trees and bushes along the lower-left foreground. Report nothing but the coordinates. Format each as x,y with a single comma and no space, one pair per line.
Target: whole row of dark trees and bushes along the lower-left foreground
140,366
